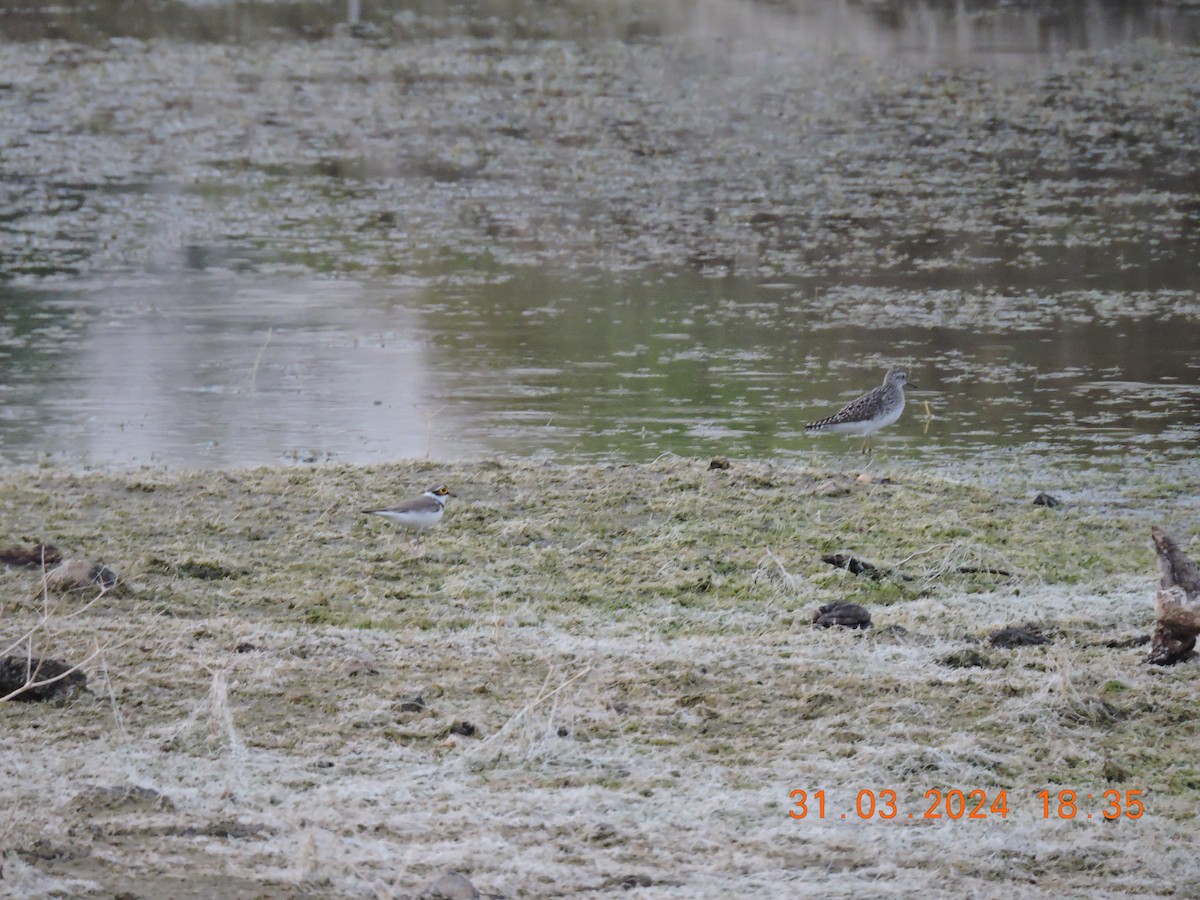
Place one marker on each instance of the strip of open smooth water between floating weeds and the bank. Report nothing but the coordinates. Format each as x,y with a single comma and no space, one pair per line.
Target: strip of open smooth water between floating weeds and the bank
214,371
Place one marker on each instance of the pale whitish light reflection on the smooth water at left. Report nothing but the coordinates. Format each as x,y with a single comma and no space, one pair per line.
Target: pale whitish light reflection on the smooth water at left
209,373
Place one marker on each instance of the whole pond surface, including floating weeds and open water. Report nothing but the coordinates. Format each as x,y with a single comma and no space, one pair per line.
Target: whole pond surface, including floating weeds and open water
599,233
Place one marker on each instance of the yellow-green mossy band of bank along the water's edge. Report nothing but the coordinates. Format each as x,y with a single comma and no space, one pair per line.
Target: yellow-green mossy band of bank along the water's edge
291,544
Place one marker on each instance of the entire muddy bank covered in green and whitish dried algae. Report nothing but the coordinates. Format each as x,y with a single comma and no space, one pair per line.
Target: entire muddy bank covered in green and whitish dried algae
631,650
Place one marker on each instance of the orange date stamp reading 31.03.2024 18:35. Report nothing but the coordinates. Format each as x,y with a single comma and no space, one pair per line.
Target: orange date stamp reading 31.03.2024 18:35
957,805
